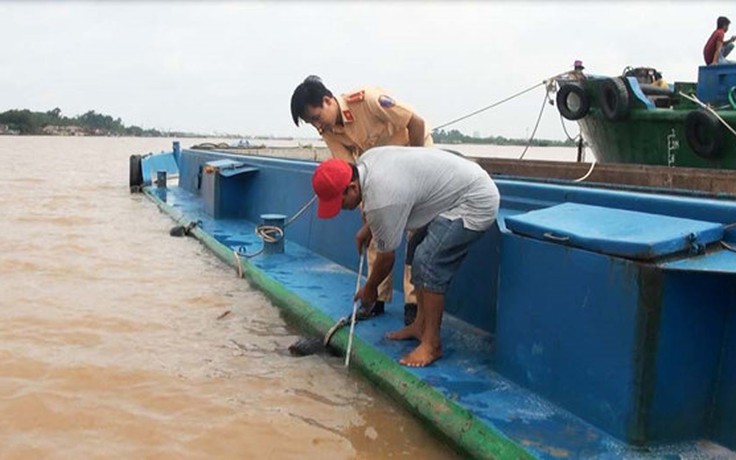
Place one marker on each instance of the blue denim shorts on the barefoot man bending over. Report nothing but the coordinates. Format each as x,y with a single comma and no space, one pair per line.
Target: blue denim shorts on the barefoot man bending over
435,252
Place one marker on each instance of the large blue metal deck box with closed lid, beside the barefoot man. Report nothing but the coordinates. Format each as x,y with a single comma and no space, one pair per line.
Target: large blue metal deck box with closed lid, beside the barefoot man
588,317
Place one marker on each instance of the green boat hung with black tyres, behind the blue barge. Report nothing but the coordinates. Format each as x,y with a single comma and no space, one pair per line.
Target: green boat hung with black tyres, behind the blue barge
638,118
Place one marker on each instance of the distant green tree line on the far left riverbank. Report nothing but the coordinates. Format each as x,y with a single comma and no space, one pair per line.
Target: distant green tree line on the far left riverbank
90,123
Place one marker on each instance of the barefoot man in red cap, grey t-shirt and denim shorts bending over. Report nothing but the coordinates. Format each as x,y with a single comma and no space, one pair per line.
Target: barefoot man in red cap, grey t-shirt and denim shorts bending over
445,199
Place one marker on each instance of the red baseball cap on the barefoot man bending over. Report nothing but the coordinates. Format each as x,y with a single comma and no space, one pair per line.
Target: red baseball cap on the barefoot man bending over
329,182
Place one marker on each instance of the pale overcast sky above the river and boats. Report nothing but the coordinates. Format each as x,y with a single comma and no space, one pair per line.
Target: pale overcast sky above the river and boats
231,67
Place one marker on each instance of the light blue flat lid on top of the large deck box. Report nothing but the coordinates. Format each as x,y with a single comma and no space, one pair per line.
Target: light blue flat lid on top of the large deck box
618,232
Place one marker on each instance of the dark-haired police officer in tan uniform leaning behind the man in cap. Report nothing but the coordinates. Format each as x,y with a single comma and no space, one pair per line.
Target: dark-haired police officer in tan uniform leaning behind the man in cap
350,124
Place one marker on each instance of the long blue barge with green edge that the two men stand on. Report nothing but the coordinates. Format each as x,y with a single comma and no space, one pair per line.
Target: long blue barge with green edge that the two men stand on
589,322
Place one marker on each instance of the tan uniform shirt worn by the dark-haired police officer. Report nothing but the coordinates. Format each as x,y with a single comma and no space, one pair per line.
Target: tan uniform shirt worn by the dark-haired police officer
371,118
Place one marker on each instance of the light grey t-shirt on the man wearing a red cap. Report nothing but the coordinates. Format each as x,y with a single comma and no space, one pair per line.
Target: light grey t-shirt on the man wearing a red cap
407,187
